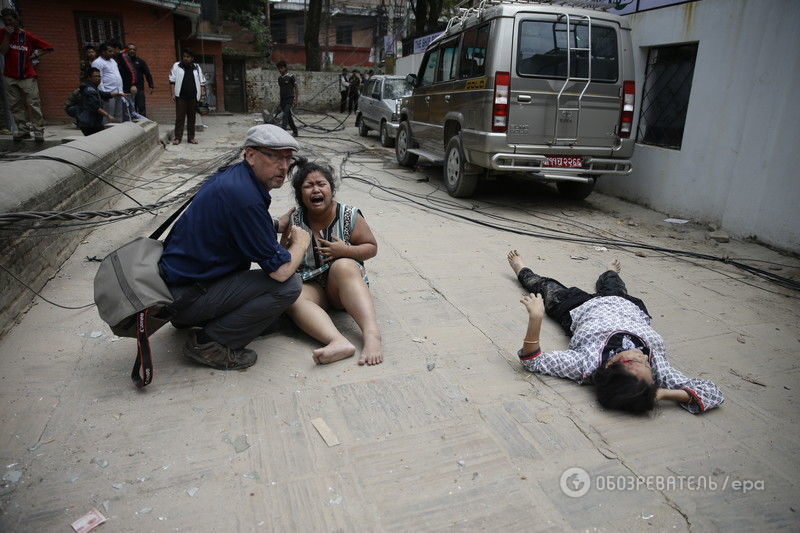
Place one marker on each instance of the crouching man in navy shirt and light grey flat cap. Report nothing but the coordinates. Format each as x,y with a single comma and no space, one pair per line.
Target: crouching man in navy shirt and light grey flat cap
207,255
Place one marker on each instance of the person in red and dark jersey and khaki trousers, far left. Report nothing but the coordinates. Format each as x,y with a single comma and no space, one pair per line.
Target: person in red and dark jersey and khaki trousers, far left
19,47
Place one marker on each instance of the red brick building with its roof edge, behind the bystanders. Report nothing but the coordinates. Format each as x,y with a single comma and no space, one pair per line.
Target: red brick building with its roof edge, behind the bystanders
159,28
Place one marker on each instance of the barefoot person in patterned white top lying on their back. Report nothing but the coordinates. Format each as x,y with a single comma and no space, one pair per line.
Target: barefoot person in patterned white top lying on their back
612,344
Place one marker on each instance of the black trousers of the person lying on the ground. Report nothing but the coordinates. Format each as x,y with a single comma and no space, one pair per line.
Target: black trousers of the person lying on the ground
560,300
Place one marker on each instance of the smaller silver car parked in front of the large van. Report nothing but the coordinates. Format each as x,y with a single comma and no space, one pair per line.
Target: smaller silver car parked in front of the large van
377,106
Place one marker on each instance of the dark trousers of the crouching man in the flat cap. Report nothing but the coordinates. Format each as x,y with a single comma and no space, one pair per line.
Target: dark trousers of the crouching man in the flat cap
234,309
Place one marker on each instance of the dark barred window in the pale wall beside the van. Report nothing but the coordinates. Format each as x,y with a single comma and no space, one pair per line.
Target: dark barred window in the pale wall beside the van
665,97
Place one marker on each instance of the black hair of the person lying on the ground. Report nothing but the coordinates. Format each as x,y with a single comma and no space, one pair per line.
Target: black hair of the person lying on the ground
617,388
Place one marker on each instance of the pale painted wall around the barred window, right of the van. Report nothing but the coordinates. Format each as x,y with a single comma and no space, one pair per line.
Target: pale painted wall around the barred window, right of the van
739,165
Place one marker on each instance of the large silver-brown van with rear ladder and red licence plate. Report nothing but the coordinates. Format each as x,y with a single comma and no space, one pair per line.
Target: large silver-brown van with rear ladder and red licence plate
509,87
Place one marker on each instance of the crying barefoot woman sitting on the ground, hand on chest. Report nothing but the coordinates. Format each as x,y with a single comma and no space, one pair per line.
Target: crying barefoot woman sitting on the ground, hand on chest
333,268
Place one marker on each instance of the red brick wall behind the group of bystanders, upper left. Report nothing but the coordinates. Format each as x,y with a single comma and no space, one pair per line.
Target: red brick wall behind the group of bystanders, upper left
150,28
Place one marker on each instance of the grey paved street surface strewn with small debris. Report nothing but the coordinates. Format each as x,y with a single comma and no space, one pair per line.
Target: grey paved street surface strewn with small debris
449,433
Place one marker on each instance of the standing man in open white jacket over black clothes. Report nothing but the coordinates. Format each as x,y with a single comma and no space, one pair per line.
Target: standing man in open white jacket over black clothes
188,86
